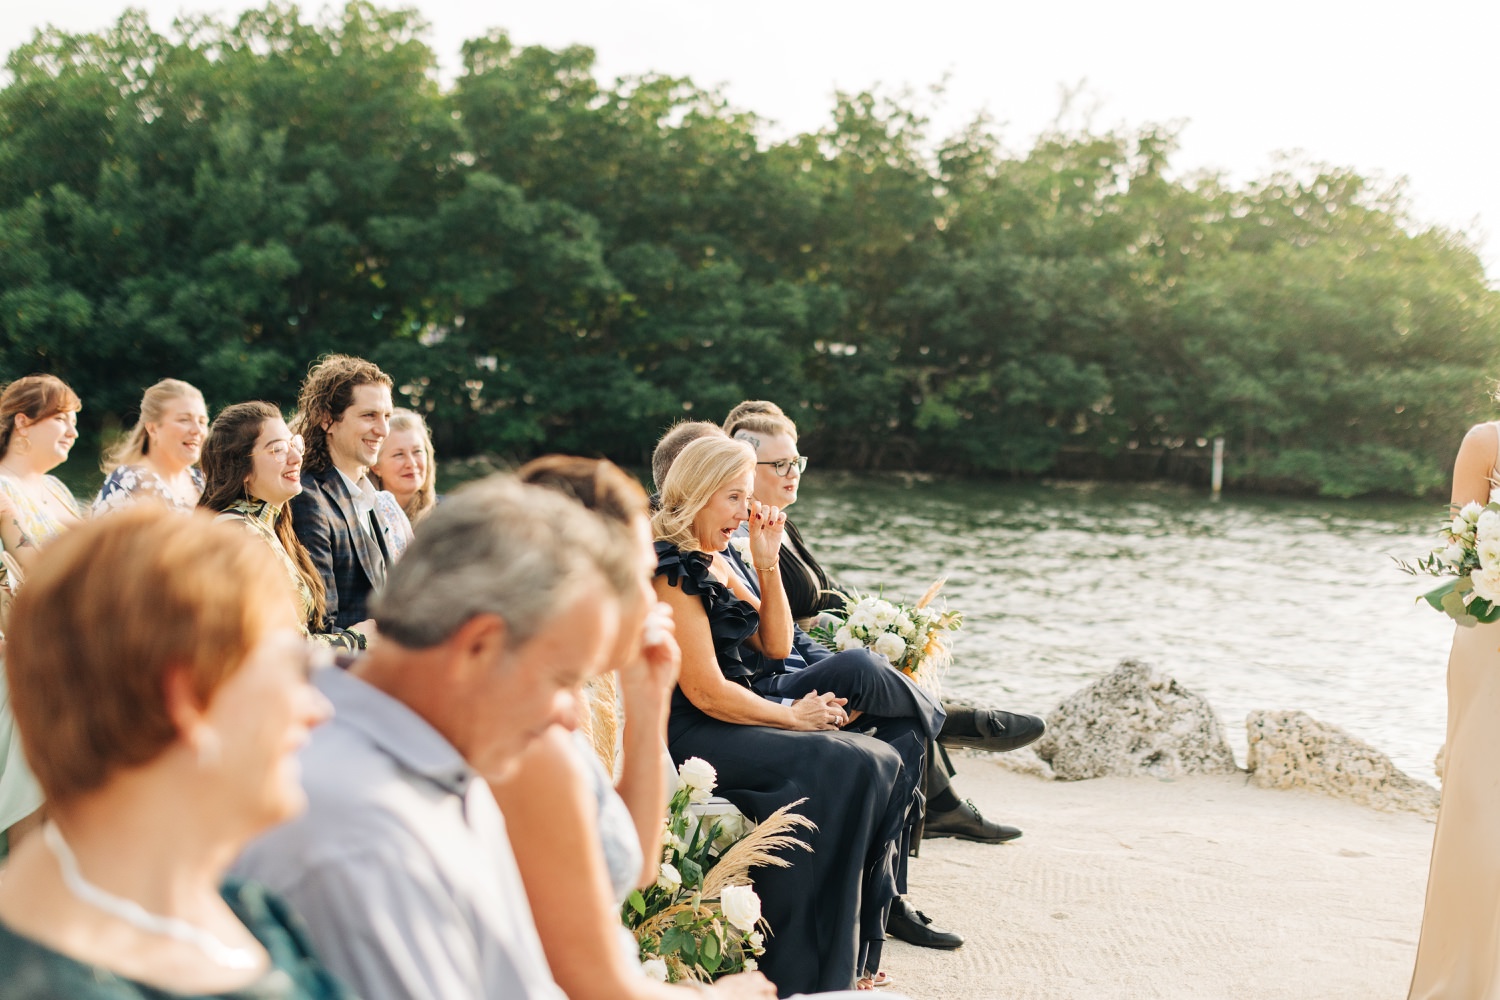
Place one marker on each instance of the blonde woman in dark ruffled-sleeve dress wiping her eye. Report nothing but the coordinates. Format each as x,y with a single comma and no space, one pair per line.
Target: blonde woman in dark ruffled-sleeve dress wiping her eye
829,909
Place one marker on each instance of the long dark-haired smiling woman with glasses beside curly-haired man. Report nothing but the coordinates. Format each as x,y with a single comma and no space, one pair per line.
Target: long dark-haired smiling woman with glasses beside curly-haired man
251,469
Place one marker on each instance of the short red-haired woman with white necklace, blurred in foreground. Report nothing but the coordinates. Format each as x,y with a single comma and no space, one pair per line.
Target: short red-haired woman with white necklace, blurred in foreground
161,750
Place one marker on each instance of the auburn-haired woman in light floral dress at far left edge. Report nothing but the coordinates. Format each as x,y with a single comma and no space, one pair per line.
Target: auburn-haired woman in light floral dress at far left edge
38,430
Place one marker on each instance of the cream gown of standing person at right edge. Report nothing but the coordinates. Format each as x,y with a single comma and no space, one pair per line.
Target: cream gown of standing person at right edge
1459,953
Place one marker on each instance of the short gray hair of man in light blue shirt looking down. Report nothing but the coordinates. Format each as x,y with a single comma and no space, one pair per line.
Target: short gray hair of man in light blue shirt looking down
500,548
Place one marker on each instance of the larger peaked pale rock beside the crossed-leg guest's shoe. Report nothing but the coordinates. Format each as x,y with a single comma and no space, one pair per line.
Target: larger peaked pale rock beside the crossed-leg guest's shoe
1135,722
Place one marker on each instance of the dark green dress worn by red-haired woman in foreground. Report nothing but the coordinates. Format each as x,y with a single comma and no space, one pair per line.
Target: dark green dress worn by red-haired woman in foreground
35,972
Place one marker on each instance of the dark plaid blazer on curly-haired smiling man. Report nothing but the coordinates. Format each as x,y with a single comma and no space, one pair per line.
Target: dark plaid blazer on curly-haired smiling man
352,563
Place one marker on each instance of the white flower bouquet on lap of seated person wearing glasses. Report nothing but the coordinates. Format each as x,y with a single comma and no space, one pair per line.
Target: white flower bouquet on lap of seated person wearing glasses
914,638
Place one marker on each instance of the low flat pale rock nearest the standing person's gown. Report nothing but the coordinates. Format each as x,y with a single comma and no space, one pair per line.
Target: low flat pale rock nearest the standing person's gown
1294,750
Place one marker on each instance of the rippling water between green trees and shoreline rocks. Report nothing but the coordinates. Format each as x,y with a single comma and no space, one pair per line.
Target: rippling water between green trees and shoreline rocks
1256,603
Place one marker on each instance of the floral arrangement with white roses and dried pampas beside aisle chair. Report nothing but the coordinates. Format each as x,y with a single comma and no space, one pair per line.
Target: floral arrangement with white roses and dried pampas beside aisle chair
701,920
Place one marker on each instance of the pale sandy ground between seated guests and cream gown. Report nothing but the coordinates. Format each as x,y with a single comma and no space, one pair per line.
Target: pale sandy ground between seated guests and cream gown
1198,888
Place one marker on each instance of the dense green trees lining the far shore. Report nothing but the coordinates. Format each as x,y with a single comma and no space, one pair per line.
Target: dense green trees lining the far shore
550,262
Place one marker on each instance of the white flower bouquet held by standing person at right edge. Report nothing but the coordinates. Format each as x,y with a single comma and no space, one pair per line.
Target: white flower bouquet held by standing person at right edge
1471,554
